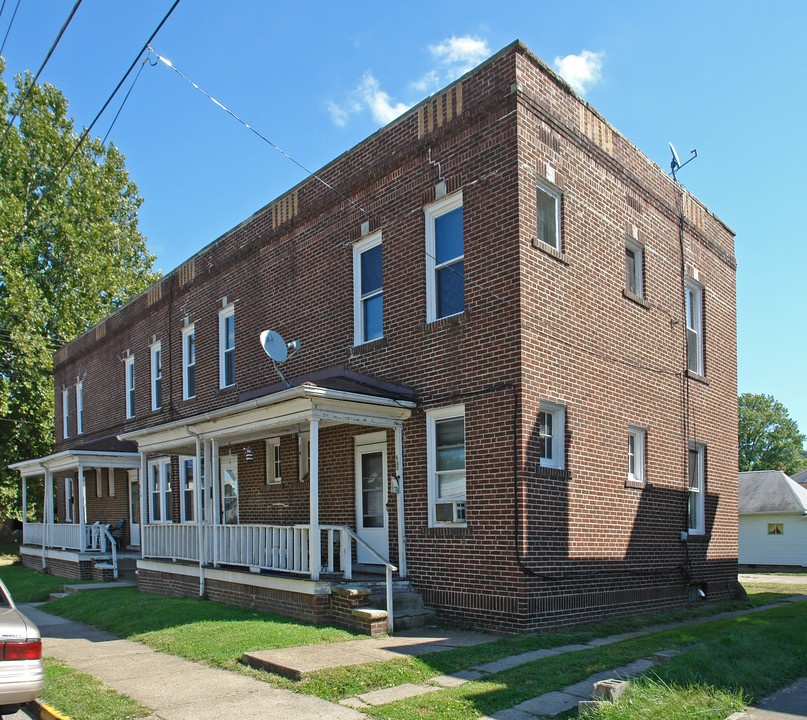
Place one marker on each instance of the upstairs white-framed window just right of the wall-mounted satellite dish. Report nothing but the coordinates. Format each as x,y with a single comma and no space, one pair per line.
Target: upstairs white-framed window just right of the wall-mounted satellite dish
368,290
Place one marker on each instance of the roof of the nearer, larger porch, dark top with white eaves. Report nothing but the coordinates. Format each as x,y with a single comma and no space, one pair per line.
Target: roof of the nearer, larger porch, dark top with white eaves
279,410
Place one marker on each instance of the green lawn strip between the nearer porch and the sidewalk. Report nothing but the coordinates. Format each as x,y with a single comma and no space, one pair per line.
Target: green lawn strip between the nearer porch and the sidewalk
194,629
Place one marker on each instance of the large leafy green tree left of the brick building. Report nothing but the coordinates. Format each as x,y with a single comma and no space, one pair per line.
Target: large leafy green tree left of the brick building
78,258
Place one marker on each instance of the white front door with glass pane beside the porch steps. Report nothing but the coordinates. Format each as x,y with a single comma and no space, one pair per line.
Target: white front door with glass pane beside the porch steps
371,501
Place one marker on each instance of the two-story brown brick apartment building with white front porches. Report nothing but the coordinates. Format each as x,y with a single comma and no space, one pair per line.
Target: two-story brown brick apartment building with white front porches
516,382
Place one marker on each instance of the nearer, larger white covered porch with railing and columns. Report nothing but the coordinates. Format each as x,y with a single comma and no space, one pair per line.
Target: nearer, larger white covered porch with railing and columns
300,483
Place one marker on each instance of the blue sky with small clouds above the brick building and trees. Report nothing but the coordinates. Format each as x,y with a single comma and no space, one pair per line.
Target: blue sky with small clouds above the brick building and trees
727,78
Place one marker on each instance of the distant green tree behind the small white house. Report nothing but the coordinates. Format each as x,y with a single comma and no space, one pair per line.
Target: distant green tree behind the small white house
769,439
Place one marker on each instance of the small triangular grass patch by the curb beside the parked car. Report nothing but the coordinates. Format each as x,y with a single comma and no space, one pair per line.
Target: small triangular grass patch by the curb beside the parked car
80,695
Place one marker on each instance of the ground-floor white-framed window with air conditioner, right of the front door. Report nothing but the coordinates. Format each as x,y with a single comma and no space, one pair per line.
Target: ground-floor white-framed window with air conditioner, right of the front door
445,440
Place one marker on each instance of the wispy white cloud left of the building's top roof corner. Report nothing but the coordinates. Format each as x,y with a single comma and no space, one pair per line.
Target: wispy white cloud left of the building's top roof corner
453,57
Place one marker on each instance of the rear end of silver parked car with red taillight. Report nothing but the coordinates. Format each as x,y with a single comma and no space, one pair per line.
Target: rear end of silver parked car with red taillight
21,670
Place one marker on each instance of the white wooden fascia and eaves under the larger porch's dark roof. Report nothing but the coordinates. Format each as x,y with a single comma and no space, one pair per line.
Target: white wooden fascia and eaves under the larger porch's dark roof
279,413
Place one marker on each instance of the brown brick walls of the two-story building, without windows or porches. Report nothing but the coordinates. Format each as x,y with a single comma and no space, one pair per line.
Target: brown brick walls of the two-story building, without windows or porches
556,327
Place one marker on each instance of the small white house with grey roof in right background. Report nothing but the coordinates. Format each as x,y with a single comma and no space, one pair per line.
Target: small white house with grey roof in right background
773,519
